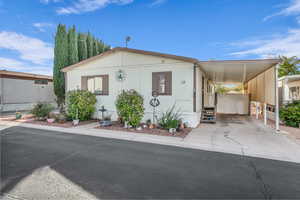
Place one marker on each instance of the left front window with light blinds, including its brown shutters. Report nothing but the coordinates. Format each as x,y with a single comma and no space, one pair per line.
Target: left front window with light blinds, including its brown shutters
95,84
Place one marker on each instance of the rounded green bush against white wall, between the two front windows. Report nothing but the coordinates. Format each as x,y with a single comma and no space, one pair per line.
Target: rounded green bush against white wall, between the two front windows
130,107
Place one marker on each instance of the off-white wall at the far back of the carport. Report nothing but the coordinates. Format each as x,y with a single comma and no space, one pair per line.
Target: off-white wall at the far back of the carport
233,104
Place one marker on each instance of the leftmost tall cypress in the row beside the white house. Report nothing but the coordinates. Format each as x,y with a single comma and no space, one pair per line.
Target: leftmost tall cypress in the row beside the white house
60,61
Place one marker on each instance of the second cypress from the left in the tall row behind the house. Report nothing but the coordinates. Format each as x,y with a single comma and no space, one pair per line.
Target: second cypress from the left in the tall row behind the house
72,46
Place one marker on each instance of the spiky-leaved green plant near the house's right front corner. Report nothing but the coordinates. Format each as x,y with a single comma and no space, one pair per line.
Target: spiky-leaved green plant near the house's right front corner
170,118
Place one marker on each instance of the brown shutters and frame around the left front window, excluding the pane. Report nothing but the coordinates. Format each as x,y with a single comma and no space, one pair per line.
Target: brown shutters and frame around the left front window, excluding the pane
105,84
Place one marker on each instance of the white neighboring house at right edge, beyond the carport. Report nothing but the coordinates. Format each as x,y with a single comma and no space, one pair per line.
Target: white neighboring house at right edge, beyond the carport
289,88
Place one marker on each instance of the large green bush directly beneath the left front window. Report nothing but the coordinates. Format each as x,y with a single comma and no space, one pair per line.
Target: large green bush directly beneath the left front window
80,104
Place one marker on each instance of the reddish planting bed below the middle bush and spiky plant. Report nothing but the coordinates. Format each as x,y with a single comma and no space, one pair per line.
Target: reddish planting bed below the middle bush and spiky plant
155,131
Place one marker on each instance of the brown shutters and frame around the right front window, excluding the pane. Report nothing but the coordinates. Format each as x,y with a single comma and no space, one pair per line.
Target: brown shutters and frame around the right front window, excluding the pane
168,84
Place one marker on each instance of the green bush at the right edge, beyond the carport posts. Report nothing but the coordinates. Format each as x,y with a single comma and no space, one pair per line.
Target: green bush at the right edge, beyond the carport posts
290,114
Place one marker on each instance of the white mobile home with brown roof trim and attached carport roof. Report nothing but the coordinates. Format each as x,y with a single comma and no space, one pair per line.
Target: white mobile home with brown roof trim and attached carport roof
186,82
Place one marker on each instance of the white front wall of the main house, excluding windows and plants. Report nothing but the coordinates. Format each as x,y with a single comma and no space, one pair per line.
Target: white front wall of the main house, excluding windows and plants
138,69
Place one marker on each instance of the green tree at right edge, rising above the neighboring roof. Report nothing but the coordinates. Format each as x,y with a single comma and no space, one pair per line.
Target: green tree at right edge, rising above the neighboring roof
289,66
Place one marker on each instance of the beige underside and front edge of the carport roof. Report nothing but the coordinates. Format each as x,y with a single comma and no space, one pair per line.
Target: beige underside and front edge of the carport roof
235,71
